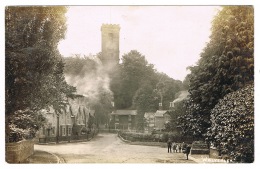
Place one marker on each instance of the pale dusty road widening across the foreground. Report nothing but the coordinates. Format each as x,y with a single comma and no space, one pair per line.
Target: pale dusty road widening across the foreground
108,148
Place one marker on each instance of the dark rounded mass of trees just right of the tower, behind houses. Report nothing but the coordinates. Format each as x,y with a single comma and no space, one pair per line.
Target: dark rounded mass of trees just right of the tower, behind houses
138,85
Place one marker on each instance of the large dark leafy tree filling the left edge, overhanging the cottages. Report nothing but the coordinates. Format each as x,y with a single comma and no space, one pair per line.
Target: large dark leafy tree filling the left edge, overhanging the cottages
34,69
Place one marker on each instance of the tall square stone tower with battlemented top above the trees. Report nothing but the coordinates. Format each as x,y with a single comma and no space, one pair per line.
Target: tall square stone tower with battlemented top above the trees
110,44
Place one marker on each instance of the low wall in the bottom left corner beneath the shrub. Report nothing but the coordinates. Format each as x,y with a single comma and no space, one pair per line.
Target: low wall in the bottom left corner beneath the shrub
18,152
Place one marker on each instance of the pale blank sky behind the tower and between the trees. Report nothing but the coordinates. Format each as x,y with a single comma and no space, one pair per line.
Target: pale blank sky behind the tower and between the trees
170,37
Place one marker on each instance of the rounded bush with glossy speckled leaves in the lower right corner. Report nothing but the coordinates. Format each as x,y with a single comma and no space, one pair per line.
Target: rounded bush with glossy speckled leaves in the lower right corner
233,124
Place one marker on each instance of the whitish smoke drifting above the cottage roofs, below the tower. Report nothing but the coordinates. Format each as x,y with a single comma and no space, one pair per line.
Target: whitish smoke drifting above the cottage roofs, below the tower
90,80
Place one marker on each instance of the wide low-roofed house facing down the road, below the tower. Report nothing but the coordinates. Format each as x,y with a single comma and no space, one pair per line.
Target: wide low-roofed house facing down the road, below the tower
123,119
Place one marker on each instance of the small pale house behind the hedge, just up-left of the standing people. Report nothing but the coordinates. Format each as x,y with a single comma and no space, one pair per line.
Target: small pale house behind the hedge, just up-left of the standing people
160,118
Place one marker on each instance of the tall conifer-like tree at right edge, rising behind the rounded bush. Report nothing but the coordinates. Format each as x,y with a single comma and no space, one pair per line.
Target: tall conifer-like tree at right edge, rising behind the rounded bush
226,64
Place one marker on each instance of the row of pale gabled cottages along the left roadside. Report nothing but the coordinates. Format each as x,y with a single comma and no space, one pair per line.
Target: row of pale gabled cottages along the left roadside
71,121
